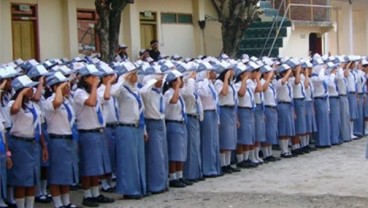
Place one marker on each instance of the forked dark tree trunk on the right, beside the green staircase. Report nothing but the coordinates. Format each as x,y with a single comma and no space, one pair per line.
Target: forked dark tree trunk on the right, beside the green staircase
235,16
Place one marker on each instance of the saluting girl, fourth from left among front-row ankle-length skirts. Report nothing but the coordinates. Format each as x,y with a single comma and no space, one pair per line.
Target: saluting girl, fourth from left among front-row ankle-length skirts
210,147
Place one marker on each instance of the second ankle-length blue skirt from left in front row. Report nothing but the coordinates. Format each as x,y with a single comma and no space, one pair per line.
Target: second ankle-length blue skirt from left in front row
156,155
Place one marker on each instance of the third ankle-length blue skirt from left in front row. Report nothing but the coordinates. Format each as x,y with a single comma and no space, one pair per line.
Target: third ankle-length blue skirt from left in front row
193,164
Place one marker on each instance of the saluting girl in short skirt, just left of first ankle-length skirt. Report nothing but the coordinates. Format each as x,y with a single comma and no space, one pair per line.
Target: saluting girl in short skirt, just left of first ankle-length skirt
91,124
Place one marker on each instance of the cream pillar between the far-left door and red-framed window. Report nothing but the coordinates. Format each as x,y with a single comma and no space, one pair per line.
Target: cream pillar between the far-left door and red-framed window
71,28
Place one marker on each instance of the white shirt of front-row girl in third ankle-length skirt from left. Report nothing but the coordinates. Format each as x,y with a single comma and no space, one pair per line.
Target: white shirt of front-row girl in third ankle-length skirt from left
193,104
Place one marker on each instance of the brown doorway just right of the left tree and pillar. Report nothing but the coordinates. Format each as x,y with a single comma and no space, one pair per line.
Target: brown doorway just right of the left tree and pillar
148,28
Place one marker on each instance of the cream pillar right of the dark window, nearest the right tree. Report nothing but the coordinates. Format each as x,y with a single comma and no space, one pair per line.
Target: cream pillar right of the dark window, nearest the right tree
198,15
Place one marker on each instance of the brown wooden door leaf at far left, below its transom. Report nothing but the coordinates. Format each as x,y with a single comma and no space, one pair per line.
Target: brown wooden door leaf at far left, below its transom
24,39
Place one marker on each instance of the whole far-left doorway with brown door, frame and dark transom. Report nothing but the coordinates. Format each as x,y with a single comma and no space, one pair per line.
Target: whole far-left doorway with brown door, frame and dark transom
24,31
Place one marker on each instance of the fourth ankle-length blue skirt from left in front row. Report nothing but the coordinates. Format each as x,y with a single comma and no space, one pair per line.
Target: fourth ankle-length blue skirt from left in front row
210,144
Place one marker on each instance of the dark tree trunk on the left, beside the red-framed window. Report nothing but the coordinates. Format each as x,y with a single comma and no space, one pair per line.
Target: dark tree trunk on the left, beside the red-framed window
108,25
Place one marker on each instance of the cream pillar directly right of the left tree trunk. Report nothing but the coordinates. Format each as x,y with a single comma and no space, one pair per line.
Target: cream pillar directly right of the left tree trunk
131,30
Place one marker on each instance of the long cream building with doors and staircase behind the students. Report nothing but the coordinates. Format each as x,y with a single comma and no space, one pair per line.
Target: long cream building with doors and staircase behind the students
44,29
